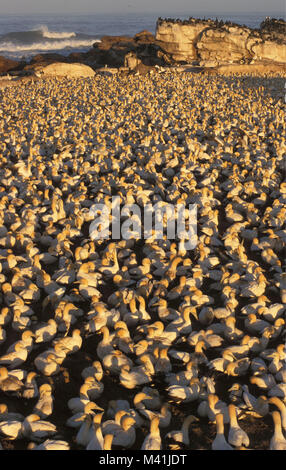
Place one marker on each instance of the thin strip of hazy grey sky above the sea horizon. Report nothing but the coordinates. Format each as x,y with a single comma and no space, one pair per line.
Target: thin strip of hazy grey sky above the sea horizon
142,6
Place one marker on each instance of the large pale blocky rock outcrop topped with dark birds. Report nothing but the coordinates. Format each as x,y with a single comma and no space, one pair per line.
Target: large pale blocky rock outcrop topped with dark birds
210,43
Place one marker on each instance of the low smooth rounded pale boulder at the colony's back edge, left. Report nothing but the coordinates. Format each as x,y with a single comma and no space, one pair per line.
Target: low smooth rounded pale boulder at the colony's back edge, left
67,70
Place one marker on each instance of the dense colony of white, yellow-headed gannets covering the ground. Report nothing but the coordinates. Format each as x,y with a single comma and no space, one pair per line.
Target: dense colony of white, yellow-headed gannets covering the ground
142,343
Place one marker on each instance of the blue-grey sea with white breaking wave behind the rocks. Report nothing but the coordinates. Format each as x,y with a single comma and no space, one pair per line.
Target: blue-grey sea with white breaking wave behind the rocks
24,36
